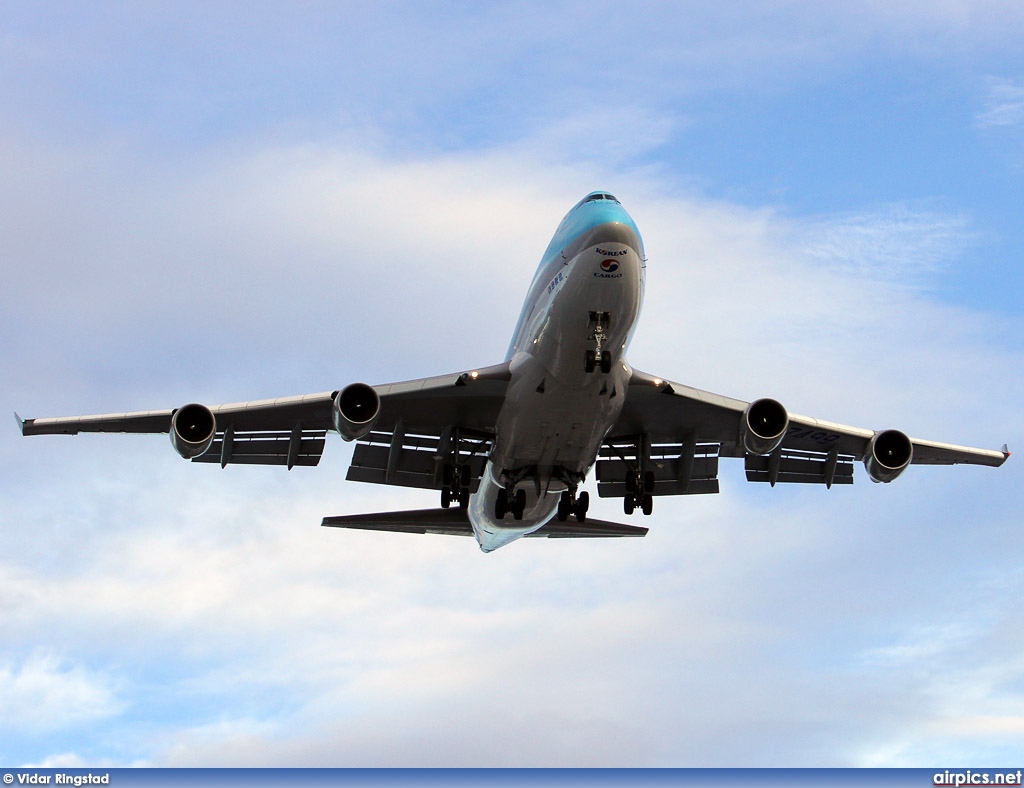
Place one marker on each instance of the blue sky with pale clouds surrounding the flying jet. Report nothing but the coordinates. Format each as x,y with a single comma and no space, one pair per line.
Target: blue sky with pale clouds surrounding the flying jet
223,202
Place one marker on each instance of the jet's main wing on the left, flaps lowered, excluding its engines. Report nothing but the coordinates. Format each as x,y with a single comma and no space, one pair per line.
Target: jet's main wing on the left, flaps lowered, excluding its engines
458,410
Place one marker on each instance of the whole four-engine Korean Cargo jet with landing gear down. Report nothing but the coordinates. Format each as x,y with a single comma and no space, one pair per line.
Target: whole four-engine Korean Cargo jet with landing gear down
510,445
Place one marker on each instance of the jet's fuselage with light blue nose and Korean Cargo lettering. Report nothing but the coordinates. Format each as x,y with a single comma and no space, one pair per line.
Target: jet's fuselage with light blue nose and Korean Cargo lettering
586,297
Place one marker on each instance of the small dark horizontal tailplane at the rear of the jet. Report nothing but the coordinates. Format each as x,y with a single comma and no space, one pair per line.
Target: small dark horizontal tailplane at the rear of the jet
455,522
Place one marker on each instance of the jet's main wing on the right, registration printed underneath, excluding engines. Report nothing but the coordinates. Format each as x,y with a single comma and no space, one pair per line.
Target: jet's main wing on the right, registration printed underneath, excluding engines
687,430
